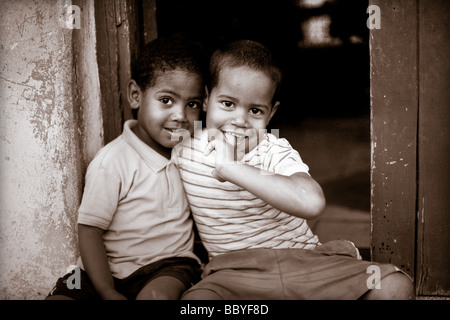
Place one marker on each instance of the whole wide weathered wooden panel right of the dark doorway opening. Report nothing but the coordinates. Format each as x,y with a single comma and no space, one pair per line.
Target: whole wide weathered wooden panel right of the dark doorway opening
410,102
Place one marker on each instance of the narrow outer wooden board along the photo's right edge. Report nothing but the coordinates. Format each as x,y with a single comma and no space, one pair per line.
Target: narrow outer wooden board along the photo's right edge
433,237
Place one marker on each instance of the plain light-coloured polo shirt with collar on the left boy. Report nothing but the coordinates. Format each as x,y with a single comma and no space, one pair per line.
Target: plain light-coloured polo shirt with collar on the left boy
136,196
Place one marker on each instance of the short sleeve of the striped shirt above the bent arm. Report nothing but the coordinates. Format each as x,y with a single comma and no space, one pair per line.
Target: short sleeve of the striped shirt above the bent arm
282,159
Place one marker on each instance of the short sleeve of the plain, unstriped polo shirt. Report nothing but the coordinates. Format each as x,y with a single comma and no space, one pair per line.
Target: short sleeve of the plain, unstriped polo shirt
100,197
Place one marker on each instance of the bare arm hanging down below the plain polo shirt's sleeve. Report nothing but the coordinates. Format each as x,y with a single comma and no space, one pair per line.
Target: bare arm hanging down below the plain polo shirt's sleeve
95,262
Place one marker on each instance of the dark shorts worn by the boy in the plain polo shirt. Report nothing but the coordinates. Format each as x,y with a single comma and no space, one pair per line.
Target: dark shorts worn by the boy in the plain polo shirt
186,270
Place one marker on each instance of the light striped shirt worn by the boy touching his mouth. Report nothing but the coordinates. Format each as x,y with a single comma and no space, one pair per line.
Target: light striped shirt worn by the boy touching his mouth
230,218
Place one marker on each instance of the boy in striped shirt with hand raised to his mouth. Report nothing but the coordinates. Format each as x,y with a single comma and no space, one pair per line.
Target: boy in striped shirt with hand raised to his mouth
251,196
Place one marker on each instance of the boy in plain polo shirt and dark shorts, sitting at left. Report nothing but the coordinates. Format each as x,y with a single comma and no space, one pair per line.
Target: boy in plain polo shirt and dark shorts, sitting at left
135,233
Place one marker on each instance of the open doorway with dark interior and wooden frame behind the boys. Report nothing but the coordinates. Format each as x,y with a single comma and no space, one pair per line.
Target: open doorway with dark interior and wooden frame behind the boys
377,155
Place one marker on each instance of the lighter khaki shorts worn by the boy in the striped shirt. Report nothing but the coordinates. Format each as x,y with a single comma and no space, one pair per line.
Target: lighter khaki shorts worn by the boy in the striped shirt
331,271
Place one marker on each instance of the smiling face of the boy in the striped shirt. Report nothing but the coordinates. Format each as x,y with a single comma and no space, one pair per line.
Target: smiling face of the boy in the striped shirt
240,106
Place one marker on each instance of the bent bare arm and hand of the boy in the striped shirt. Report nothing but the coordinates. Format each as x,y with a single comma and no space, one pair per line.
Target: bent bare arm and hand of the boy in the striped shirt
298,194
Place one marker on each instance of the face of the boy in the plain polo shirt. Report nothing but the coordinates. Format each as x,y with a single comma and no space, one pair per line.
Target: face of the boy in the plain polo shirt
172,103
